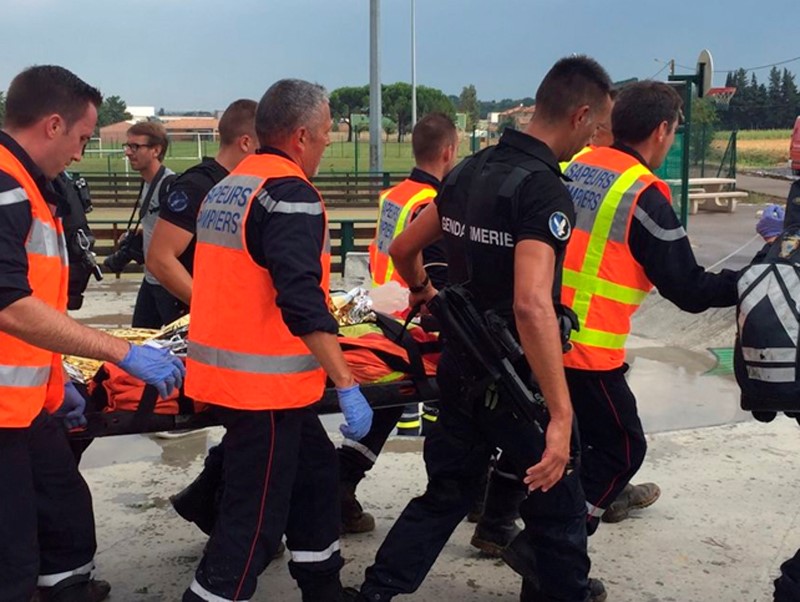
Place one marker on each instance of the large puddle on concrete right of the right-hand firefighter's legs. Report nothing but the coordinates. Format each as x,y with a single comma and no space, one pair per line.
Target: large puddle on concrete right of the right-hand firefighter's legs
675,390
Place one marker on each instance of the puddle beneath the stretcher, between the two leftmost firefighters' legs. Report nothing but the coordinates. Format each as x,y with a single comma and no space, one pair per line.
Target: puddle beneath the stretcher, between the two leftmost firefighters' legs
178,452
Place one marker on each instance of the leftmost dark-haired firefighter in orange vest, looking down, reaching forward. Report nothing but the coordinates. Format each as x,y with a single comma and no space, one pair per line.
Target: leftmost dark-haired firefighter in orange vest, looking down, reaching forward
47,539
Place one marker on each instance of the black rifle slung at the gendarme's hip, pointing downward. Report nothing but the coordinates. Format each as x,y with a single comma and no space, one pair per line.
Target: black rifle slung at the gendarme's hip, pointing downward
487,349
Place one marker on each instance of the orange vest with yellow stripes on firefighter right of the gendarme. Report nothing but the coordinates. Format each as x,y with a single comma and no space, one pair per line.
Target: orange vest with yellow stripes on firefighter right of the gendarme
602,282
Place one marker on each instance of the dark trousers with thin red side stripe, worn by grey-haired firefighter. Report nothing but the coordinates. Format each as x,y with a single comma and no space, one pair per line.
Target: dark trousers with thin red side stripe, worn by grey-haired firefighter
280,477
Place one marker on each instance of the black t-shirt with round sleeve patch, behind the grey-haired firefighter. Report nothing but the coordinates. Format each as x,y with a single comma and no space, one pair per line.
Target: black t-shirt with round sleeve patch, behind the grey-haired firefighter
185,196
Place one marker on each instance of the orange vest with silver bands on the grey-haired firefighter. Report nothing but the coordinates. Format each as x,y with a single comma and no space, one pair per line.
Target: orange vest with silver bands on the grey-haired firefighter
240,352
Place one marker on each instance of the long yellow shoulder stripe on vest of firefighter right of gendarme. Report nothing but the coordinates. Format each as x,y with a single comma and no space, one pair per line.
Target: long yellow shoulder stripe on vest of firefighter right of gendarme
614,208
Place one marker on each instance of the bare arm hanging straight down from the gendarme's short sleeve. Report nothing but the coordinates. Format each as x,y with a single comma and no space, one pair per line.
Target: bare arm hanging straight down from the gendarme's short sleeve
534,266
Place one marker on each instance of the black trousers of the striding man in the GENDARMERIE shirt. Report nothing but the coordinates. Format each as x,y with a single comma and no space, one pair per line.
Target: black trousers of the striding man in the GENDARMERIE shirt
456,455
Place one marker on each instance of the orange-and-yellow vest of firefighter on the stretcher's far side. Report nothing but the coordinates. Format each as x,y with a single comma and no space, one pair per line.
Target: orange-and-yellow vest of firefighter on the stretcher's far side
396,207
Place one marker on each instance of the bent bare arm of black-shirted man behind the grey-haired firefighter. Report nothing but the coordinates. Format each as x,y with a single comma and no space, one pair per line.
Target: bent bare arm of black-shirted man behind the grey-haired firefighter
167,245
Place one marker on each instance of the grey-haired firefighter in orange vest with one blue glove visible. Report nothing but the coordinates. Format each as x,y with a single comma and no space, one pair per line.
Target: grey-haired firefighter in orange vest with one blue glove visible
261,341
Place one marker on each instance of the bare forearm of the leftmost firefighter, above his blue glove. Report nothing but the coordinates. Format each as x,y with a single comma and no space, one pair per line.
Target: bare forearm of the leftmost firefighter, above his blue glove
35,322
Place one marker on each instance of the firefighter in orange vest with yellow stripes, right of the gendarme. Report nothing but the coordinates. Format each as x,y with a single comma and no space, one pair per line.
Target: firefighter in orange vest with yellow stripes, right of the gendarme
627,239
